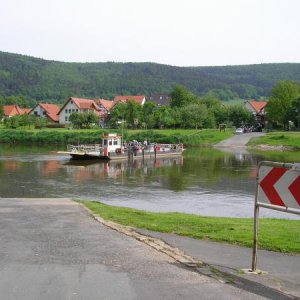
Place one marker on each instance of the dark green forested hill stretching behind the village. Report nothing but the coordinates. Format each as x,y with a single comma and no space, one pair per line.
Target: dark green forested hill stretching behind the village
41,80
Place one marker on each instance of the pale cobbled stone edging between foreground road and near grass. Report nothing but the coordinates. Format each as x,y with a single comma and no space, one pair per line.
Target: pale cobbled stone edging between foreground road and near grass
155,243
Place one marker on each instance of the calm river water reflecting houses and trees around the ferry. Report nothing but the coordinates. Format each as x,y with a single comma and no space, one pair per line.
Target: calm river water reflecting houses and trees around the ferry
204,181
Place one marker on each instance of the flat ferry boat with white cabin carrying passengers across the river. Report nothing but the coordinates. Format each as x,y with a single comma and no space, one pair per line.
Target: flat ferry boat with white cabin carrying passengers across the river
113,148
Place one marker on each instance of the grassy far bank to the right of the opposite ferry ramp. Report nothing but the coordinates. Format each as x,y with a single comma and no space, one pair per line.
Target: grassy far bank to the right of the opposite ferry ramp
278,139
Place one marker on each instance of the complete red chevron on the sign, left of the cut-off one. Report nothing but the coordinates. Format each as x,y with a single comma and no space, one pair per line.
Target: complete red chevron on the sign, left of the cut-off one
267,184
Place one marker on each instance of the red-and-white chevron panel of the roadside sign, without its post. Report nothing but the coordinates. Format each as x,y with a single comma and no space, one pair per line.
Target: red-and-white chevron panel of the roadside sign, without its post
279,186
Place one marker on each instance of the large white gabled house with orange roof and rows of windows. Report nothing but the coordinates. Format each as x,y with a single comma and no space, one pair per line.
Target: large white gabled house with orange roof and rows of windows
78,105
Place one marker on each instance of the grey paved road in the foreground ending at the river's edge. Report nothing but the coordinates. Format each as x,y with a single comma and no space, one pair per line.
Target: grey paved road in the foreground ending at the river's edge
53,249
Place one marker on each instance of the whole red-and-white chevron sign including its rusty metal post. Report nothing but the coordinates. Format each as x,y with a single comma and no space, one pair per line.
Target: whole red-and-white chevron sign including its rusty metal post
278,188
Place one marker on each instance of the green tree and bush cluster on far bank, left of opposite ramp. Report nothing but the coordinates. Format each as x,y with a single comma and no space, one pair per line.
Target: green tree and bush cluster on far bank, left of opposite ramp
186,110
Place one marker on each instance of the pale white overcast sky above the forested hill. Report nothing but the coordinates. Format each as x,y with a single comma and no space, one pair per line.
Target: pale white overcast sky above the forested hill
175,32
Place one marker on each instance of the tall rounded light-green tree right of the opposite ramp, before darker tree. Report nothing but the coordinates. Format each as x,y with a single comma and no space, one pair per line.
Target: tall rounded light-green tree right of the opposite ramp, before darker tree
279,108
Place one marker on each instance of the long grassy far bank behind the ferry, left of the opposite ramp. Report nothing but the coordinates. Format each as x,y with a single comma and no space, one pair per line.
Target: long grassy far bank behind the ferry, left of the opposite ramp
65,136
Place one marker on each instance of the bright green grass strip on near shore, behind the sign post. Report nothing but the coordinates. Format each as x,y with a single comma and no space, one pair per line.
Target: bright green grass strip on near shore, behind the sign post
275,234
